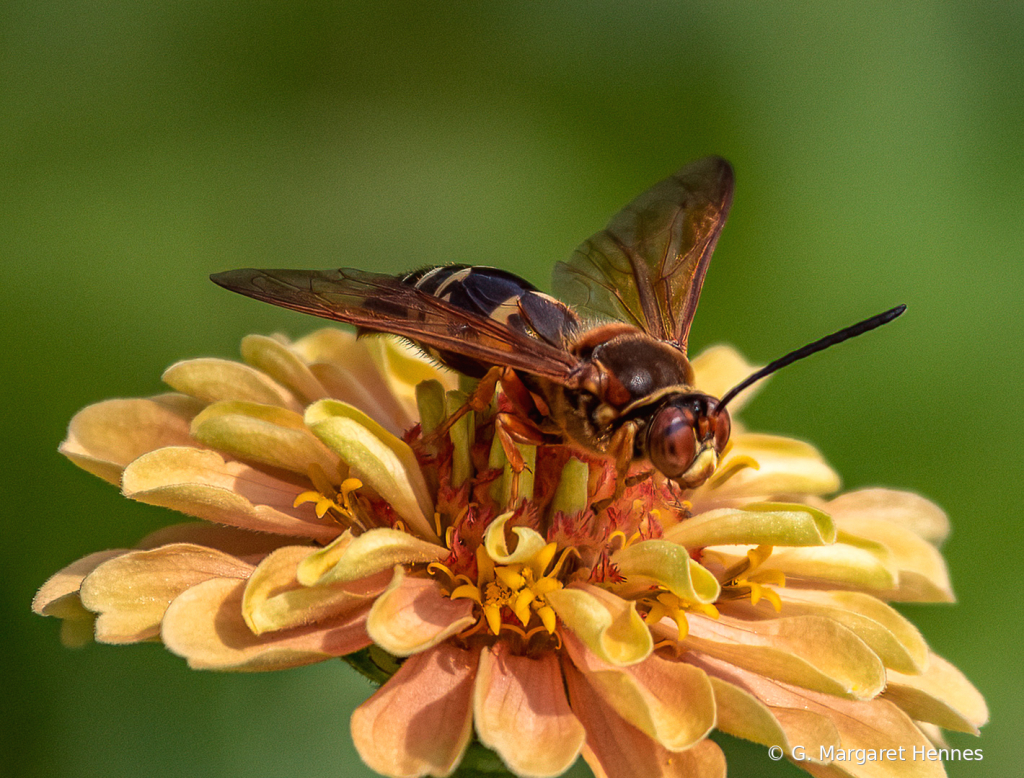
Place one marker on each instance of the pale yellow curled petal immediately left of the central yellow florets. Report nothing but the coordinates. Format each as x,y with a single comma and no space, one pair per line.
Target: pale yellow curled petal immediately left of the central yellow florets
374,551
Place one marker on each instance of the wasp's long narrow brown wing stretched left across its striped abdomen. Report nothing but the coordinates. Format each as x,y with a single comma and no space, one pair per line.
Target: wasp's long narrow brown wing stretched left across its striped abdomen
386,304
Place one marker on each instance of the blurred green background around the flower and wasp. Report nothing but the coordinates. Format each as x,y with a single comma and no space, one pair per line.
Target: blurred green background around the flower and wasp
879,158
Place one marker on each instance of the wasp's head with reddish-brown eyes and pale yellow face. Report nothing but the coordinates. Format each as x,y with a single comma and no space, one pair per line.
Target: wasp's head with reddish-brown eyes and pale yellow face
687,437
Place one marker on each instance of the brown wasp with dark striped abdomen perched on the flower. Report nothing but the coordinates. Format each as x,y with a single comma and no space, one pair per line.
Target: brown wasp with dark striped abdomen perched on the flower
602,367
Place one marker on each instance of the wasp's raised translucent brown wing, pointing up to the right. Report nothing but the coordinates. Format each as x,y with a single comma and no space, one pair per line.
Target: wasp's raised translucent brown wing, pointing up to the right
648,267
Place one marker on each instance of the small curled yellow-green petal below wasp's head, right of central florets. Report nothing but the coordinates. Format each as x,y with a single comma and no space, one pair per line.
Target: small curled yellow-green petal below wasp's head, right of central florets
668,566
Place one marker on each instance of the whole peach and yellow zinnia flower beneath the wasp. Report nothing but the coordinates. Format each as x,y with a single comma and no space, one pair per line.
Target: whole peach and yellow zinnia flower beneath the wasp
543,613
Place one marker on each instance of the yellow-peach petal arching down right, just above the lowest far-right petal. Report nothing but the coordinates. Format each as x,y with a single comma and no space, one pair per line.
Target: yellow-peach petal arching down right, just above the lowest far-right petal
887,633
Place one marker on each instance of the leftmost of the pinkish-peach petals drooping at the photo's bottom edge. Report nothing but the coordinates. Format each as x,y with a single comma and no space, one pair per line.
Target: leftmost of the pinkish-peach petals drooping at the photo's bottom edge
420,722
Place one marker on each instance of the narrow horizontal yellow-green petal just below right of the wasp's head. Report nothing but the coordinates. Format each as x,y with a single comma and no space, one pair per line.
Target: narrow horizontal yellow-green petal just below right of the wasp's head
769,524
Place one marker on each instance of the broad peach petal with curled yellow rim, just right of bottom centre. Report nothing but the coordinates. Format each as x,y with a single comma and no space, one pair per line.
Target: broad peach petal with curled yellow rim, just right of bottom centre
667,700
